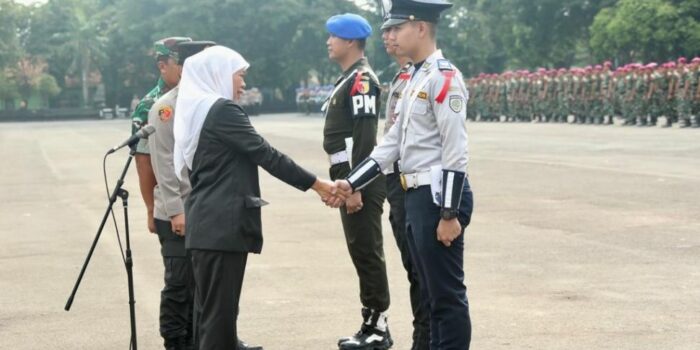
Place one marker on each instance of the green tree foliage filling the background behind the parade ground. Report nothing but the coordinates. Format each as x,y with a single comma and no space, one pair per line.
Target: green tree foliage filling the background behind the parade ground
285,39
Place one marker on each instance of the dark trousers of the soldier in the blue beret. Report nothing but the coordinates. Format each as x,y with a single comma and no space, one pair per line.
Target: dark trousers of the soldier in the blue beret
363,235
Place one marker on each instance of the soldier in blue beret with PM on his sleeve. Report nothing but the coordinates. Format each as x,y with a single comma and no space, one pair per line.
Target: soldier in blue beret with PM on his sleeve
349,136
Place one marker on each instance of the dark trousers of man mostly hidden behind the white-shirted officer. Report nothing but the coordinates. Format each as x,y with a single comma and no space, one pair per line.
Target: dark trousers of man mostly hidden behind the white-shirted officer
397,217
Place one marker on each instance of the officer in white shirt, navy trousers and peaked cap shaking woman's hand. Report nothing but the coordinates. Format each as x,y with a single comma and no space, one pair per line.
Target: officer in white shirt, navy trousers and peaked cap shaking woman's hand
430,138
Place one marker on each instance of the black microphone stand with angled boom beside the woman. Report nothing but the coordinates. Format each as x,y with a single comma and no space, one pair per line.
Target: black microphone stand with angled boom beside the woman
124,195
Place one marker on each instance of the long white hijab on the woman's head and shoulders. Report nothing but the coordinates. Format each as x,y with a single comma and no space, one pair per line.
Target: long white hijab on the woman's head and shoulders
206,77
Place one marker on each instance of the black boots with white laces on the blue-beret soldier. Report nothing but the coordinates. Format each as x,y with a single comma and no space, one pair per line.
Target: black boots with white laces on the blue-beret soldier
373,334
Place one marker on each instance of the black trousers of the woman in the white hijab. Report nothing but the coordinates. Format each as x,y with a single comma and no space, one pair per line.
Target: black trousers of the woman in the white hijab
219,279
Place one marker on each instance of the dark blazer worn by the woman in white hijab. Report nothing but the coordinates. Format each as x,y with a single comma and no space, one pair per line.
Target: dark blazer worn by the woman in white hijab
223,209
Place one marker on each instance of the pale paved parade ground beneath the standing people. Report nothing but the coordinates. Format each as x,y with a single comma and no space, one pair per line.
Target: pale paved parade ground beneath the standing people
583,237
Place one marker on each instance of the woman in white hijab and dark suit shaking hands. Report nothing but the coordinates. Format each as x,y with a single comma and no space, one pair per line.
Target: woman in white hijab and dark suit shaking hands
216,141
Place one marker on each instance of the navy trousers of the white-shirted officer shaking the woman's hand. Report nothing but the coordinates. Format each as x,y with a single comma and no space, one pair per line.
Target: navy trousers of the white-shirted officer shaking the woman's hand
440,268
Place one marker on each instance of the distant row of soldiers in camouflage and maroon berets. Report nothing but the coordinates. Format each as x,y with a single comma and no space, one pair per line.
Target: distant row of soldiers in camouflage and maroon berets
634,94
